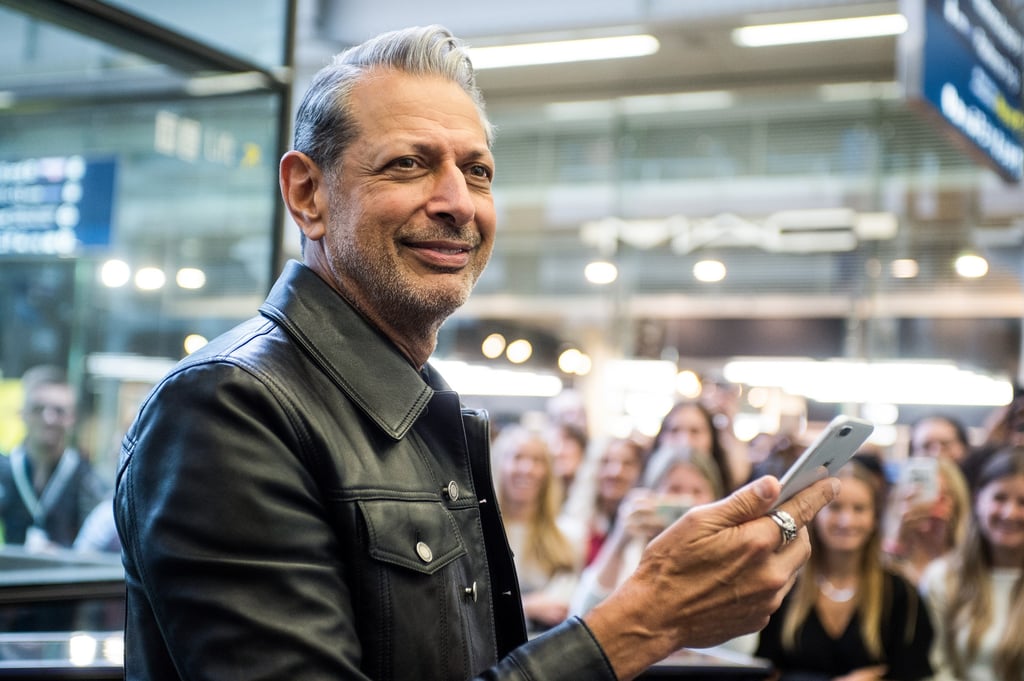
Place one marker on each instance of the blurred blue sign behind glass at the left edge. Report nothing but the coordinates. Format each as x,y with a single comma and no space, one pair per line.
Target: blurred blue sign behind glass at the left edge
56,205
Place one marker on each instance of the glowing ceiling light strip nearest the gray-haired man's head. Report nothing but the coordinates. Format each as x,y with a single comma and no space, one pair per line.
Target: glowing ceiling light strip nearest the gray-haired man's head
588,50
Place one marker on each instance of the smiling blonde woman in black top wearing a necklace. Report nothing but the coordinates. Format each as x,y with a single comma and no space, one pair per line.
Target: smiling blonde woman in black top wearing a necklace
848,618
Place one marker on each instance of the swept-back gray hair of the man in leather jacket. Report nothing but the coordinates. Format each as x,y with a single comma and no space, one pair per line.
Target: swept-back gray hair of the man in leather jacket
324,125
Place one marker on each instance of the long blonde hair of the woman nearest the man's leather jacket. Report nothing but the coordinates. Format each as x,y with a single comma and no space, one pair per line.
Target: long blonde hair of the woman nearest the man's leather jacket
546,543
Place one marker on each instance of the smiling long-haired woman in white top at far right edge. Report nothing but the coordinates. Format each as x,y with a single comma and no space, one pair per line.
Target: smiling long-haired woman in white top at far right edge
977,594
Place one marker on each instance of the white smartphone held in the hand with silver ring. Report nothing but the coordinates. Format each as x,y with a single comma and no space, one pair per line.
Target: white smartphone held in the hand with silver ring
833,448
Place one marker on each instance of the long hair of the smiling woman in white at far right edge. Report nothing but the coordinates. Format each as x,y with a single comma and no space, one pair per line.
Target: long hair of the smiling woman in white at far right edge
969,583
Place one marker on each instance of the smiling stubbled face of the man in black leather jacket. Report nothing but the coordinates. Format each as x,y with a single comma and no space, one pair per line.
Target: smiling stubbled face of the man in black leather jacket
412,220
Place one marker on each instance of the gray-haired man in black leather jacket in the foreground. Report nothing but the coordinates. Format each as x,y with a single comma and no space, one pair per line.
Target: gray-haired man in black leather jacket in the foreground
306,498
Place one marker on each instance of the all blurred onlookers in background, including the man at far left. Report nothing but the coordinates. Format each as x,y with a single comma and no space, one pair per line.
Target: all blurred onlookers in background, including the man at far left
909,579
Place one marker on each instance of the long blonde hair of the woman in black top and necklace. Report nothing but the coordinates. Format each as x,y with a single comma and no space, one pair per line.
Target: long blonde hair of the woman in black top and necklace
874,600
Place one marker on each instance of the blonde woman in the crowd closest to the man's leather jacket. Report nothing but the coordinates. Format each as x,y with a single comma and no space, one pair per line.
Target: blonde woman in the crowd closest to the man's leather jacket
530,497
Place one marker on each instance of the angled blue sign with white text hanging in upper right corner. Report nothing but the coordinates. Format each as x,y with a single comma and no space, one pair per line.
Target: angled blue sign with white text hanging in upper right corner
970,74
